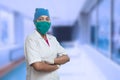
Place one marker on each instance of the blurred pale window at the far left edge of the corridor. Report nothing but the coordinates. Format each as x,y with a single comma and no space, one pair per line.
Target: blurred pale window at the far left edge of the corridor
6,28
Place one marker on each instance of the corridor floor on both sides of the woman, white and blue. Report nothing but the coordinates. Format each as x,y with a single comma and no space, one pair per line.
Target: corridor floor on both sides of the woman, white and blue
80,67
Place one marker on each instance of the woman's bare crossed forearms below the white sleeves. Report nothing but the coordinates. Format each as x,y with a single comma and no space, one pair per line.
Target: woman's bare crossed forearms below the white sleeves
43,66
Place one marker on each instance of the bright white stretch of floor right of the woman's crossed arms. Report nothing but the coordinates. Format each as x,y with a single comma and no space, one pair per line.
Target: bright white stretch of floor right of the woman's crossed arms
80,67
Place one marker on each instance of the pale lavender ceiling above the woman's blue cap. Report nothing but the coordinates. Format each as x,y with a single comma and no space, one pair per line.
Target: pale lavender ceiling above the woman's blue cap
60,10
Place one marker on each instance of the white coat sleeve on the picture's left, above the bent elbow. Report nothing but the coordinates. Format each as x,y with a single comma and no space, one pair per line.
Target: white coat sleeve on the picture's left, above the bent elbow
31,52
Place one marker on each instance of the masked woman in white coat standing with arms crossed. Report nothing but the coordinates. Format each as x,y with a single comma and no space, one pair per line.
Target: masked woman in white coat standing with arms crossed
43,53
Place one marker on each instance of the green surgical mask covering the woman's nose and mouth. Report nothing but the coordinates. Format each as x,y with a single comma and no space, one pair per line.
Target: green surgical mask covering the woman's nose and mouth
42,27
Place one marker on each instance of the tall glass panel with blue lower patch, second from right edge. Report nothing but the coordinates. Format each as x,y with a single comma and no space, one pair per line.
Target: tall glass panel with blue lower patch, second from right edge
104,27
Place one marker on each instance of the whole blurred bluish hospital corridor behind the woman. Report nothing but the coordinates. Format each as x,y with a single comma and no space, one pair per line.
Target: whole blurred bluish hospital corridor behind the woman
89,30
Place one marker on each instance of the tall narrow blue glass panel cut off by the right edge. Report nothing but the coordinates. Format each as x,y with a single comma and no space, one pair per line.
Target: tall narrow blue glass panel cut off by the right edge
116,33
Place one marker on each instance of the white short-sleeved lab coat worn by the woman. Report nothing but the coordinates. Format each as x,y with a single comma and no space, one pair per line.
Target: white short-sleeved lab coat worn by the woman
36,50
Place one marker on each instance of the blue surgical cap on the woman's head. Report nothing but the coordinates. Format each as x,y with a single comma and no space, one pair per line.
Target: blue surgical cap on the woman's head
39,12
